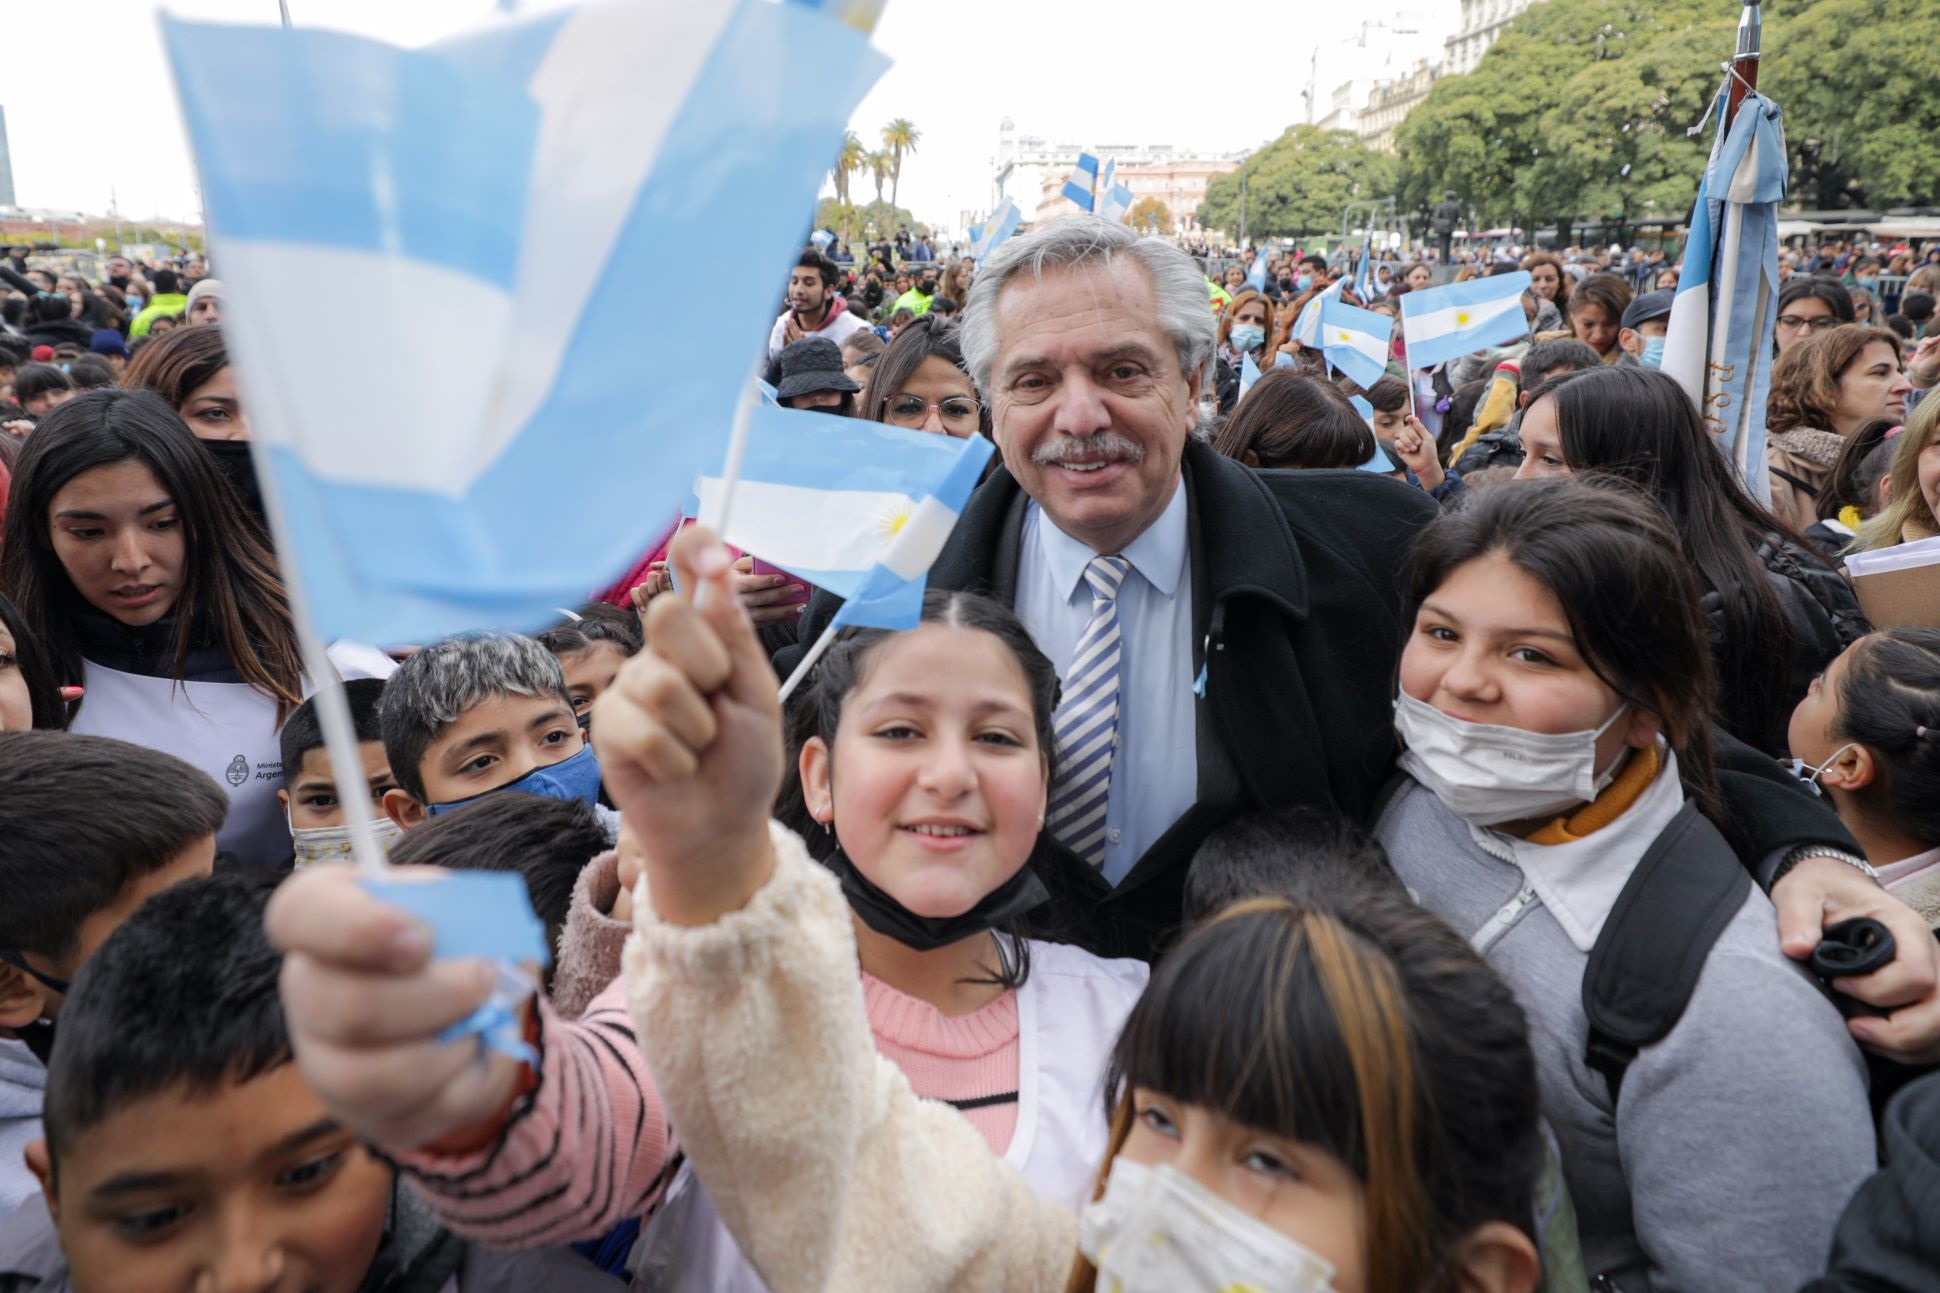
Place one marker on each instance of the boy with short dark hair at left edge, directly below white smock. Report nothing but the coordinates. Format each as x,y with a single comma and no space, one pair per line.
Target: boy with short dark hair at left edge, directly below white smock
71,873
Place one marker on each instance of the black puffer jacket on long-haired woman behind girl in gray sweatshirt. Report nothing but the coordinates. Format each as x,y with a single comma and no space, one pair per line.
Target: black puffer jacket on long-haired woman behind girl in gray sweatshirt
1825,616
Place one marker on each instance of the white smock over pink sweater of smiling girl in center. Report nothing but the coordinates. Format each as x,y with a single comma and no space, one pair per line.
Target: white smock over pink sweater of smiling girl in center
1068,1020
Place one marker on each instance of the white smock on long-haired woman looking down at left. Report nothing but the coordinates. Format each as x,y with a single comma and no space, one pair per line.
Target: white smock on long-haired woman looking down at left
228,731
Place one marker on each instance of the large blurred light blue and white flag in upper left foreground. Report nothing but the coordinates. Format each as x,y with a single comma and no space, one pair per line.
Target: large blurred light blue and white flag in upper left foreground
503,193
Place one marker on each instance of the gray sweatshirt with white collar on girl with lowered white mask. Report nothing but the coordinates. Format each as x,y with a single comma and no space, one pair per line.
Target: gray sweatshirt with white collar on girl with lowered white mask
1739,1137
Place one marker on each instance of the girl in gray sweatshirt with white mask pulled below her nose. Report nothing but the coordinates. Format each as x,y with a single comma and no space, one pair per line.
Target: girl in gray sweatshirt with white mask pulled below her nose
1555,700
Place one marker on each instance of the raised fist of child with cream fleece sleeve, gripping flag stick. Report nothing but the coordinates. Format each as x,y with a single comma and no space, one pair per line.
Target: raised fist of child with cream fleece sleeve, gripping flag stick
690,743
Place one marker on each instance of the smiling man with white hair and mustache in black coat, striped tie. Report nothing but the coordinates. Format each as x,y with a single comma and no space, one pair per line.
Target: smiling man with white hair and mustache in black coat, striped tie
1227,640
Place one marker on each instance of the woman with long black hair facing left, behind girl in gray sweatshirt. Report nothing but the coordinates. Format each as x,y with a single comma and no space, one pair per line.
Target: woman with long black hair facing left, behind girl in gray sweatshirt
1778,611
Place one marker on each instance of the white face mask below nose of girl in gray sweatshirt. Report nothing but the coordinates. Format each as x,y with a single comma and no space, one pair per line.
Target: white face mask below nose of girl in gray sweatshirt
1489,776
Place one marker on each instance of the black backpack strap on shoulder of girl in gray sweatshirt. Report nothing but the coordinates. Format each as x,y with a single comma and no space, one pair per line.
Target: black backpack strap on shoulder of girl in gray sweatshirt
1654,946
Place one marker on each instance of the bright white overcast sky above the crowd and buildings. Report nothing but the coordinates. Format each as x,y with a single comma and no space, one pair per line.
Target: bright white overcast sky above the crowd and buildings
96,108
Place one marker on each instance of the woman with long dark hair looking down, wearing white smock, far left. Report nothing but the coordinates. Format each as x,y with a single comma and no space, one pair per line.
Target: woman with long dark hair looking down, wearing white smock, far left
141,578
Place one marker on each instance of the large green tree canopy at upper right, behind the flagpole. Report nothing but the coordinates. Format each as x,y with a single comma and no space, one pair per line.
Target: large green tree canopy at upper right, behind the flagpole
1582,110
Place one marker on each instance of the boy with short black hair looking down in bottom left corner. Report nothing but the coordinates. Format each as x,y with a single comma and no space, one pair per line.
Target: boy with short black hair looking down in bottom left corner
185,1150
